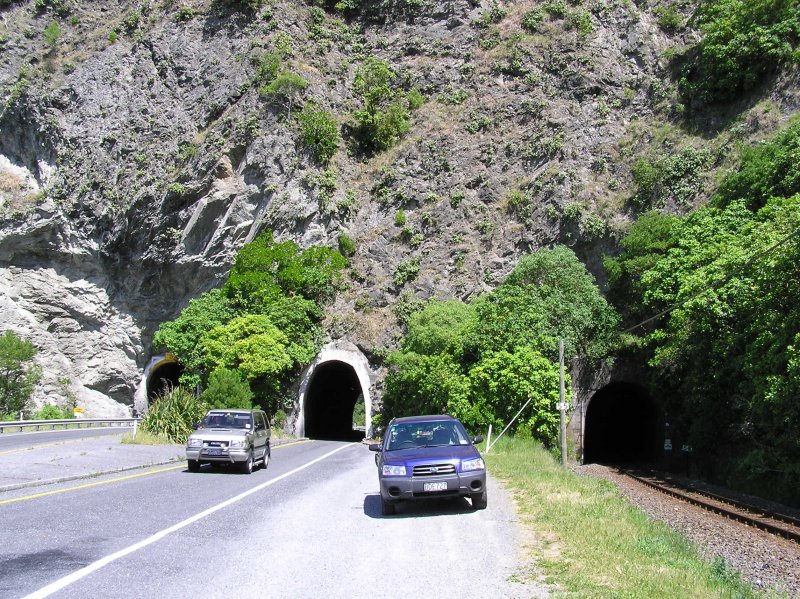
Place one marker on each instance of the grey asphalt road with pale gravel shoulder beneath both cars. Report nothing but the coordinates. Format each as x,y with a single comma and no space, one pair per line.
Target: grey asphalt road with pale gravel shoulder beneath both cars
308,526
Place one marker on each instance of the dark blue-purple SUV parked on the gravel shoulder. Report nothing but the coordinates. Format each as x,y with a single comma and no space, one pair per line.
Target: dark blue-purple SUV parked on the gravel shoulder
429,456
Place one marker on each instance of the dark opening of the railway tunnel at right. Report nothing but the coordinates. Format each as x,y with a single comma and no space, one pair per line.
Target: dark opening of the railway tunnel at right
621,426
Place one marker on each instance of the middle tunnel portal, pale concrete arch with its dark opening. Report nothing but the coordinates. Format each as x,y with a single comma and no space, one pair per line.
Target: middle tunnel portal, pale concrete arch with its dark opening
330,387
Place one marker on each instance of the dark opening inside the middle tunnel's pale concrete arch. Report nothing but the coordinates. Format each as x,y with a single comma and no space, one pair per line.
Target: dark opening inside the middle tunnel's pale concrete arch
330,400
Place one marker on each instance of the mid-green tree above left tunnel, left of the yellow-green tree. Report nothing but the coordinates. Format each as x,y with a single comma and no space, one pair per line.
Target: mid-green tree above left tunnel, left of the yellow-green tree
182,335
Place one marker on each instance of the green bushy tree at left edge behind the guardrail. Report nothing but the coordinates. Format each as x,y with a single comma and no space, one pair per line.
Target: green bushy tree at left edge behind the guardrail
18,375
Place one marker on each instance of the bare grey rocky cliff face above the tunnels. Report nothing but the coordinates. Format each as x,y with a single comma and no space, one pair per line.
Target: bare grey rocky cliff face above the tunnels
137,156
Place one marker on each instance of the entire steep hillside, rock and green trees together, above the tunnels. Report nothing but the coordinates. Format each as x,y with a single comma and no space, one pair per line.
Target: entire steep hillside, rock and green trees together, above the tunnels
441,146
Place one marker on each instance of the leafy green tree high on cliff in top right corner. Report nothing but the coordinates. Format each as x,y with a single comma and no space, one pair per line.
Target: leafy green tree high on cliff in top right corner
743,42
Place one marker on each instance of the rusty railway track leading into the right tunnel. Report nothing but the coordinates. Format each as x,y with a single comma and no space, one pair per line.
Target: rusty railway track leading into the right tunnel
778,524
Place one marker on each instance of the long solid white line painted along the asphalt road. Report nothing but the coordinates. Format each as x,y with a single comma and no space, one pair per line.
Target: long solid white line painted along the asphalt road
86,570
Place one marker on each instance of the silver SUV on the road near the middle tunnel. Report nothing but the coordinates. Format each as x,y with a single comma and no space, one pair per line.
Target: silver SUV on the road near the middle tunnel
230,437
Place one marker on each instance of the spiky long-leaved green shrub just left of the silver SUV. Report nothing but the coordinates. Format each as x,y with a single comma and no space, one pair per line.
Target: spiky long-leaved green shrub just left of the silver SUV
173,414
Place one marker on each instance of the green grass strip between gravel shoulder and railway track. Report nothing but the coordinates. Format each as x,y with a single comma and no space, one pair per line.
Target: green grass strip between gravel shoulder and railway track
589,542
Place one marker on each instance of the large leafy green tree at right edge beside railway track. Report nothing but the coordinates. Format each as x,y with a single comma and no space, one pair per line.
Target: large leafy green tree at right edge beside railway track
726,353
